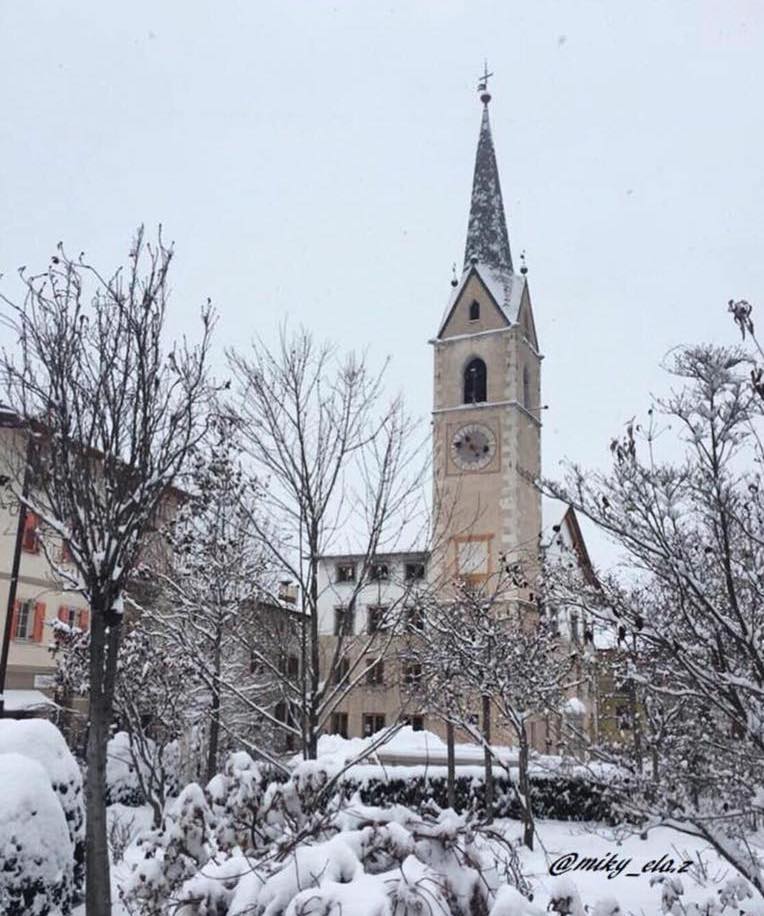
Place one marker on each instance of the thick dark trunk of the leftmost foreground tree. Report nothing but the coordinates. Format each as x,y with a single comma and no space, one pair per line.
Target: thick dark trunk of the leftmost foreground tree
104,642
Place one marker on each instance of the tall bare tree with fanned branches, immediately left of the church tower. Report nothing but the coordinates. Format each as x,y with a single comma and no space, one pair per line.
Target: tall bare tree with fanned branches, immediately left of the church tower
335,460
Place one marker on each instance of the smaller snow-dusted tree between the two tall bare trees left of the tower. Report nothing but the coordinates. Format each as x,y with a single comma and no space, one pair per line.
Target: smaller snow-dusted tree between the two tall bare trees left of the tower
209,593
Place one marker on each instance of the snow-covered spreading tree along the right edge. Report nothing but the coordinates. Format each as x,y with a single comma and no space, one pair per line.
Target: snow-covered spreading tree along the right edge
682,501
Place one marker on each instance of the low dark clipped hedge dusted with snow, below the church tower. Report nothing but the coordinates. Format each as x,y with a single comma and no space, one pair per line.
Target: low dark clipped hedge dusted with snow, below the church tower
554,796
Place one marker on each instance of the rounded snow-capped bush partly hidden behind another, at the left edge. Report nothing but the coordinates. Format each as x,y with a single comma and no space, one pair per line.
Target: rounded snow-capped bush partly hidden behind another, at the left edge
41,741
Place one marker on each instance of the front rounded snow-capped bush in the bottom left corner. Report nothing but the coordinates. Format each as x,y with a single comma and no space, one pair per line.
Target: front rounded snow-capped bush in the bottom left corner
36,852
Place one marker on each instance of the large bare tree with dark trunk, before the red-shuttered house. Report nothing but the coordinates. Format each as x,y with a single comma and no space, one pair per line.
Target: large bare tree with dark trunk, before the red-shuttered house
112,418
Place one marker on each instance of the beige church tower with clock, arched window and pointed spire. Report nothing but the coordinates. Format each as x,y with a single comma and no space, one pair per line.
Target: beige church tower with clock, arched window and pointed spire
487,397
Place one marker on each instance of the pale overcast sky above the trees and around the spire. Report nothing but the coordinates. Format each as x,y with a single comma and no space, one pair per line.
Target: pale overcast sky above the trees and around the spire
313,160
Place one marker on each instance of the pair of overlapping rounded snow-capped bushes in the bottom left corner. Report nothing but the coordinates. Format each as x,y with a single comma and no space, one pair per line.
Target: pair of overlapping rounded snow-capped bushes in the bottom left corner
42,820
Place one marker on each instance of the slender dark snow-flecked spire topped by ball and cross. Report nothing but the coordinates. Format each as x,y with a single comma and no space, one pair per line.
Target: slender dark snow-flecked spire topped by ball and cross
487,238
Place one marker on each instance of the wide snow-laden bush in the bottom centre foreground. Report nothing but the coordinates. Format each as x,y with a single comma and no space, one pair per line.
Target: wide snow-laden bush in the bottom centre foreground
254,845
